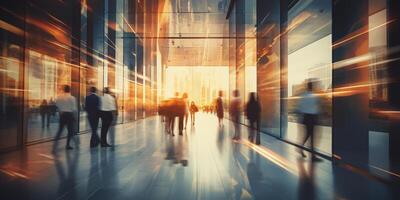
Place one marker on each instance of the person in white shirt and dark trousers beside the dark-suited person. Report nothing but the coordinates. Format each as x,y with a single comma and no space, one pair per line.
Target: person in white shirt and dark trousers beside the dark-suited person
107,107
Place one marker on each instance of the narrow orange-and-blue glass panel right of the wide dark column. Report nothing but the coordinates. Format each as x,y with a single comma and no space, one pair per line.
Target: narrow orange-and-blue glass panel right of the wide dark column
379,134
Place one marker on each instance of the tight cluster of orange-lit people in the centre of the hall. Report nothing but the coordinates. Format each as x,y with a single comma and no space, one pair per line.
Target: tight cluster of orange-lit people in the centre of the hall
177,107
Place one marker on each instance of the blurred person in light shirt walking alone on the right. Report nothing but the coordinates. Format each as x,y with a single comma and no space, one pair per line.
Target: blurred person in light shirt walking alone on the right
309,109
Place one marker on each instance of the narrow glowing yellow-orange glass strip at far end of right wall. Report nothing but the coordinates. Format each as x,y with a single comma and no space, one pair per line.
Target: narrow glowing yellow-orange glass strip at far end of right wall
242,50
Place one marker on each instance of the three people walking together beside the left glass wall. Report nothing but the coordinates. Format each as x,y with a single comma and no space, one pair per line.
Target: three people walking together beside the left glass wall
97,107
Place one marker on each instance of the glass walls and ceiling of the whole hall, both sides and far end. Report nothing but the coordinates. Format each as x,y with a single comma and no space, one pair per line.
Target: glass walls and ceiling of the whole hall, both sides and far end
272,47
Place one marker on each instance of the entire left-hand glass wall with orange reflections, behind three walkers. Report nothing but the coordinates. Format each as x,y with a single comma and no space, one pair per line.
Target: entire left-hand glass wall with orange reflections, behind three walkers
48,44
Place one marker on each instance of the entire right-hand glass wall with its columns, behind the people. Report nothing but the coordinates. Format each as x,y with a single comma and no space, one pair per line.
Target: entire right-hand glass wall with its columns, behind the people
297,42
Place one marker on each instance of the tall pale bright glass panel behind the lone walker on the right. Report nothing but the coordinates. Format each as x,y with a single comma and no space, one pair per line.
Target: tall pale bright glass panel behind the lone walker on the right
310,60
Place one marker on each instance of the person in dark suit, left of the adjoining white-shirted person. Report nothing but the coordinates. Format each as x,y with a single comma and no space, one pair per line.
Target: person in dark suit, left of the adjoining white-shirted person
92,107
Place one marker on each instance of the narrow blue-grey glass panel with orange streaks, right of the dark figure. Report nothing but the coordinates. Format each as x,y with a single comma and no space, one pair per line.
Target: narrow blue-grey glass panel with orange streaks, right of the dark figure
268,65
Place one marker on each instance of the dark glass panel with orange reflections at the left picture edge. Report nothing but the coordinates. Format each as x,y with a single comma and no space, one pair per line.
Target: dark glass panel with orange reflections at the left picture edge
11,66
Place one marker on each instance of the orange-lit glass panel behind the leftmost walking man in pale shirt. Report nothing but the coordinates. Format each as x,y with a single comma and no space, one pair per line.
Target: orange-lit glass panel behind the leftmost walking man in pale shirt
47,65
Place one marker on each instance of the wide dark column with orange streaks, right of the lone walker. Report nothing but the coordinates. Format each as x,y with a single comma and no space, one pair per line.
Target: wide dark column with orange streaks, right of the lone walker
350,104
